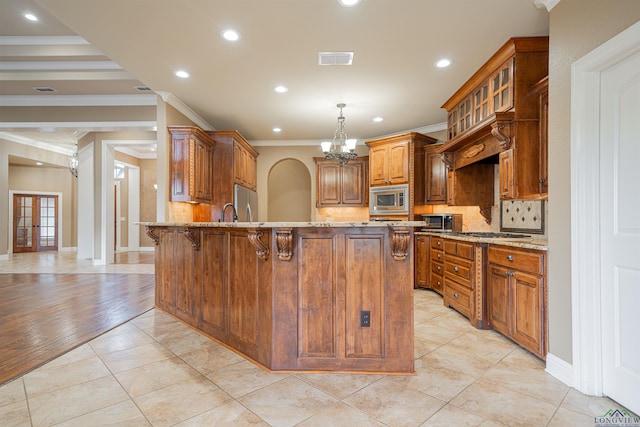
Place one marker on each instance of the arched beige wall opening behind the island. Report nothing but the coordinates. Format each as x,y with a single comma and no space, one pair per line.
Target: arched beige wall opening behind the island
289,192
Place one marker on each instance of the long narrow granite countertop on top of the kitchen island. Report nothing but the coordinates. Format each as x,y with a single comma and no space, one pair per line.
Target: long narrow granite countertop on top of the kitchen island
413,224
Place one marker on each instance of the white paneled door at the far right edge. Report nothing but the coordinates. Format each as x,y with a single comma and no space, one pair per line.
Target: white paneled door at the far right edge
620,230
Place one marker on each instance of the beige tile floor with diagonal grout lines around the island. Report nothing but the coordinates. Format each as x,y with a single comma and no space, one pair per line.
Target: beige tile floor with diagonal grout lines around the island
156,371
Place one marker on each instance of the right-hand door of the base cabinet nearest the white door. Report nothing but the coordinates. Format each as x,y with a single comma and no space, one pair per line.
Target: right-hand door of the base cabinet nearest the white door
527,312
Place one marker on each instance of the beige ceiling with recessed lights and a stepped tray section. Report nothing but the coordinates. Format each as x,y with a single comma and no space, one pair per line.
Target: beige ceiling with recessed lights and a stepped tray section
95,53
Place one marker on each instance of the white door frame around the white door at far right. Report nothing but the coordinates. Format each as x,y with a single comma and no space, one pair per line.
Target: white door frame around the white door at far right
586,286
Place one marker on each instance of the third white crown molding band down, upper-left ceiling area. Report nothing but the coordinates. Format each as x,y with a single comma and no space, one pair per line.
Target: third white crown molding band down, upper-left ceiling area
77,100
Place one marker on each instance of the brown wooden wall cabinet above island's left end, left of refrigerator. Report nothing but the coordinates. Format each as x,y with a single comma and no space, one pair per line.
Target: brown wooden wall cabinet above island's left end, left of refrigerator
192,165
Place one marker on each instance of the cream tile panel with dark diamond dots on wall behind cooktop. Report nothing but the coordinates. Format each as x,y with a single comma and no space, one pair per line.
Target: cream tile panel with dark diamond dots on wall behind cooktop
522,216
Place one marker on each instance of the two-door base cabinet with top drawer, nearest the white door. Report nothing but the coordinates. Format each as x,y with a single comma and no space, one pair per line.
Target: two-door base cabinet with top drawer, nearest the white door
517,296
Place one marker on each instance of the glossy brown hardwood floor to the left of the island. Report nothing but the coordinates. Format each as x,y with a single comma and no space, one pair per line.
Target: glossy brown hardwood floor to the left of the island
46,315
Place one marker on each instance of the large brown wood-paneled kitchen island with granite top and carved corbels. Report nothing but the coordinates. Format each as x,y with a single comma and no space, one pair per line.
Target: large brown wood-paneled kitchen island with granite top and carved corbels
294,296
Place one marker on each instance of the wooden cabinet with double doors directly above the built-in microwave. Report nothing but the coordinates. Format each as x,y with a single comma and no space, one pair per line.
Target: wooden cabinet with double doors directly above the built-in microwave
400,159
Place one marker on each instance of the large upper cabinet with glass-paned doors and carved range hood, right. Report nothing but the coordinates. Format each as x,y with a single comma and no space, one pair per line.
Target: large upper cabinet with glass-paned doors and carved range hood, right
500,109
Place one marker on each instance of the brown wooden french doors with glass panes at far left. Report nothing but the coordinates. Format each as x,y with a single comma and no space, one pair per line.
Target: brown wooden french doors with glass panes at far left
35,223
